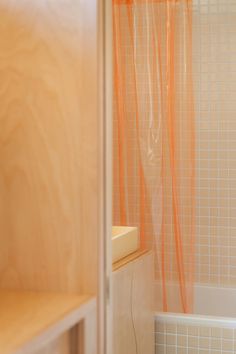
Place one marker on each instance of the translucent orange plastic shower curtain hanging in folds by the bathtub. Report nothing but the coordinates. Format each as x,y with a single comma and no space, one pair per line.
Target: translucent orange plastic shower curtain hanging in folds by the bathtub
154,138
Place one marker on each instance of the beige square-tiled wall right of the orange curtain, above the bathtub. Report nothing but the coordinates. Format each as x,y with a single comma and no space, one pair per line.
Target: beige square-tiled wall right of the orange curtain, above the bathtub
214,45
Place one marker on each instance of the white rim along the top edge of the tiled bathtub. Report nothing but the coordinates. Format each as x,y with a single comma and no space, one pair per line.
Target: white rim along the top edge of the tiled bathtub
197,320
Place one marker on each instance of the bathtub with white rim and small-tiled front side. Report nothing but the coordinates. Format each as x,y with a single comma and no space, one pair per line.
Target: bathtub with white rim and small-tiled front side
210,330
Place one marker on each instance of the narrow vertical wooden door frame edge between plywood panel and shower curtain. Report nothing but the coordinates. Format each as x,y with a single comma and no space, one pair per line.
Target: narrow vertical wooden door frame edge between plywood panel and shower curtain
105,92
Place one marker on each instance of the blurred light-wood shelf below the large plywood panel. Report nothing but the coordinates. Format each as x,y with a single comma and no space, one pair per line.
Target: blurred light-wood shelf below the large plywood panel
29,320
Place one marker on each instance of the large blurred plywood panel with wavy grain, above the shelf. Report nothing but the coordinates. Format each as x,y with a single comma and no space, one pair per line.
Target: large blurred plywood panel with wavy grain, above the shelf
48,145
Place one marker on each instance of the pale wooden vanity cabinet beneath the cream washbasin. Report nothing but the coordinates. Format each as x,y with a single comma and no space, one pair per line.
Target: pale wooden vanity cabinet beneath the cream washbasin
133,316
